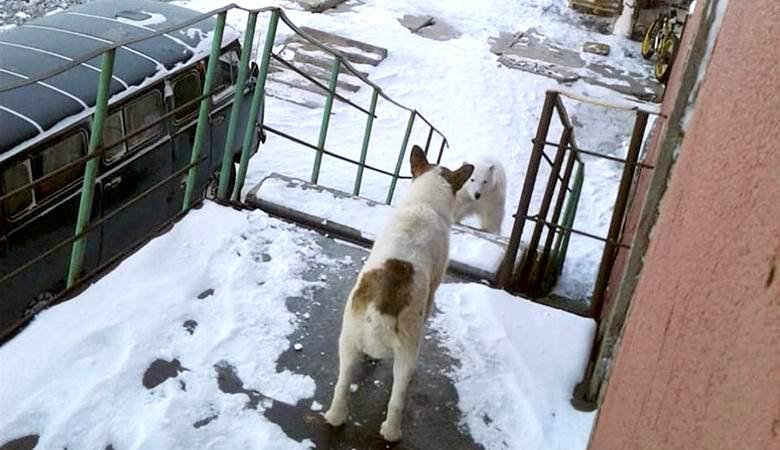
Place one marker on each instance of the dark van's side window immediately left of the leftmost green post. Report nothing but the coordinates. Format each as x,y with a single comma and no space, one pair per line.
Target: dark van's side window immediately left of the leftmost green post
55,156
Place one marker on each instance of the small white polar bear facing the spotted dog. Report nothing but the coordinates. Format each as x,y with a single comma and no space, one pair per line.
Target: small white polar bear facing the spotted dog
484,195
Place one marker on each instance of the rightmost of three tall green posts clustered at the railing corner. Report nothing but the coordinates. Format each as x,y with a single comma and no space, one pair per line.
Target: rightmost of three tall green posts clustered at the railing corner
257,98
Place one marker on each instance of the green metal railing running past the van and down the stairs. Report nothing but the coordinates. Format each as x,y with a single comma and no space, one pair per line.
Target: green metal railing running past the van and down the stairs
97,148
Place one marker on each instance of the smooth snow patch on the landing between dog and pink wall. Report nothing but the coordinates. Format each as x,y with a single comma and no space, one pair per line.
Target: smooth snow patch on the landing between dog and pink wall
519,363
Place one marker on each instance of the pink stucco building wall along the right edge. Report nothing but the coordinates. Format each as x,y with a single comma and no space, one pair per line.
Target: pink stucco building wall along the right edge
699,363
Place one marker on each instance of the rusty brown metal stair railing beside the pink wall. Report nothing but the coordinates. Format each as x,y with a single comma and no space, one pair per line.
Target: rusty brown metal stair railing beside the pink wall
537,270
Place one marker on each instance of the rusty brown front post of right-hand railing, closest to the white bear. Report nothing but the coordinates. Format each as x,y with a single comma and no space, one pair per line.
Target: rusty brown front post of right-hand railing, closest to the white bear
508,263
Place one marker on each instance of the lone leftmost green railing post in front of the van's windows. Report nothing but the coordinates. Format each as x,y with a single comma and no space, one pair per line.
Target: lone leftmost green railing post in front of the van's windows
90,171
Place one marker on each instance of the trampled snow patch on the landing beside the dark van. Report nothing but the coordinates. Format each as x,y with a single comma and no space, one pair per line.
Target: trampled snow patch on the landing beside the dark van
211,291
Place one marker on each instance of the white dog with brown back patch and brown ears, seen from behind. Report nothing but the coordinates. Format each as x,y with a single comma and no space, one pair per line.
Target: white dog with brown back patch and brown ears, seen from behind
386,311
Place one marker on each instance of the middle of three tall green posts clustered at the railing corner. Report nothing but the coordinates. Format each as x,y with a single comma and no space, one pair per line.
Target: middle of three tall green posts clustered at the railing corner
238,99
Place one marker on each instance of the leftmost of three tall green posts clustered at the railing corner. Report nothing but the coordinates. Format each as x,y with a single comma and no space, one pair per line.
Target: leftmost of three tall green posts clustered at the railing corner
203,113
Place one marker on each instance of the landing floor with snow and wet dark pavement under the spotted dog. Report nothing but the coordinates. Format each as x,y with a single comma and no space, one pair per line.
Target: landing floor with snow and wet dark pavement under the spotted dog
222,333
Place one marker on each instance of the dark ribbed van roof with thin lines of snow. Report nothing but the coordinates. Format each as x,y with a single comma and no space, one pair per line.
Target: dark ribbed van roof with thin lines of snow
35,111
